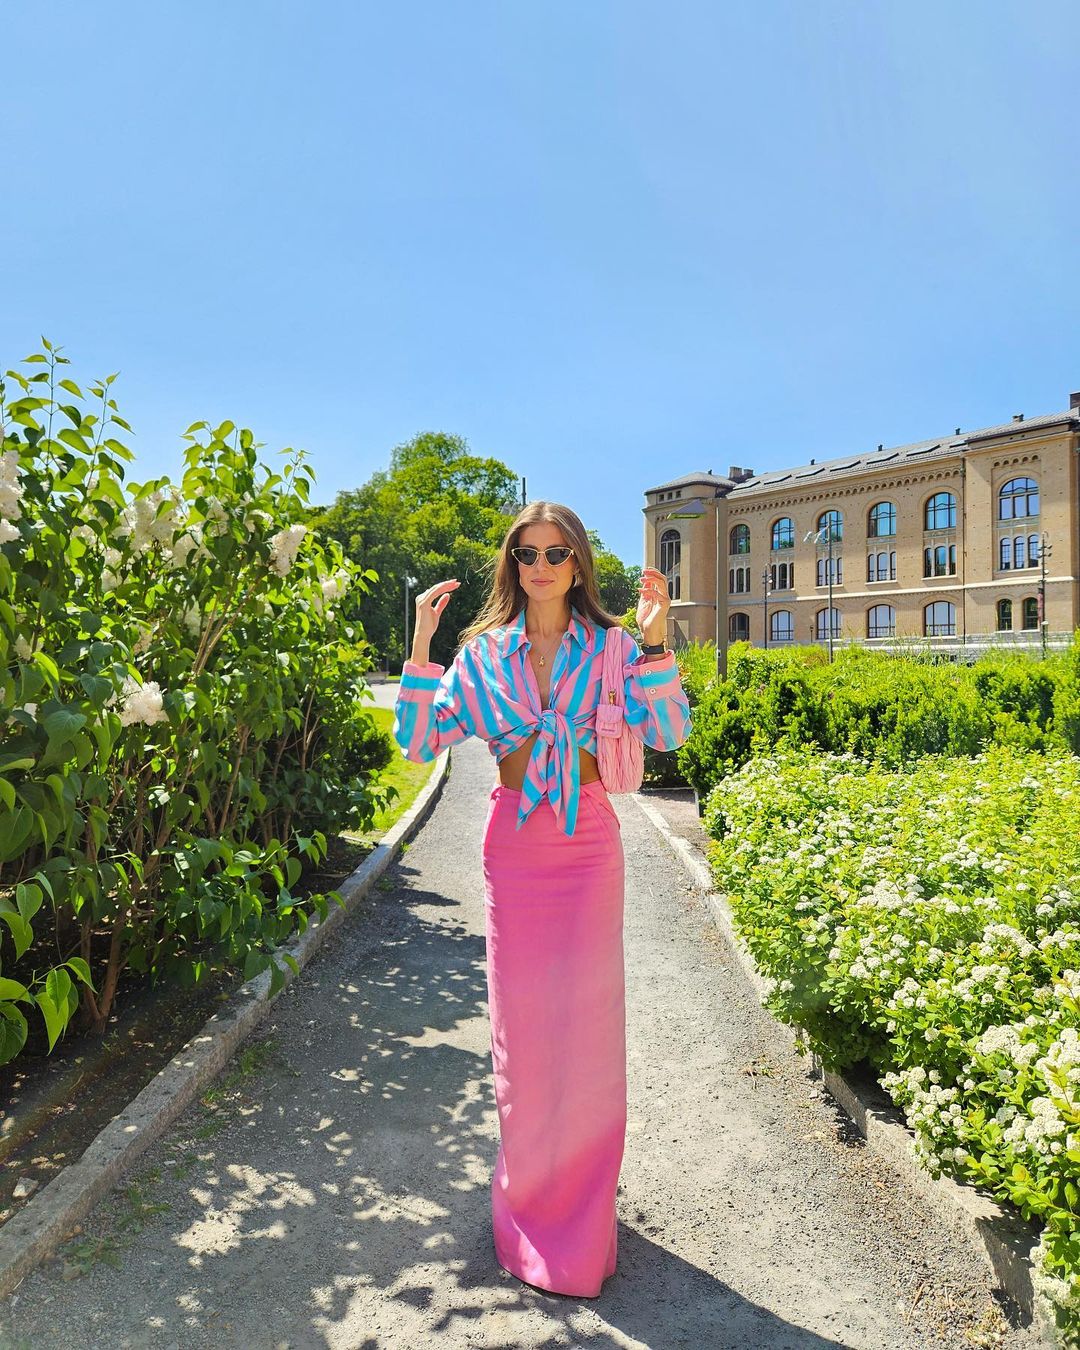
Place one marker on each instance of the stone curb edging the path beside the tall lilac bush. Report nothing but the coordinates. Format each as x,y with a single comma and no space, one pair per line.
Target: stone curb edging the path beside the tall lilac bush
40,1228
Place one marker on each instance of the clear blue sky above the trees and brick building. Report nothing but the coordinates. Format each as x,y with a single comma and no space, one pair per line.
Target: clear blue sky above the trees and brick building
605,242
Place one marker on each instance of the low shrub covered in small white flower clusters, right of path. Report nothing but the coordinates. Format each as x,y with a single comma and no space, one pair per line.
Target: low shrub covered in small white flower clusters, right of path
928,920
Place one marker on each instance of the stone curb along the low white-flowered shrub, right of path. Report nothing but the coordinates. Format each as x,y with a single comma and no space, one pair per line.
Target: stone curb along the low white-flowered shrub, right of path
1002,1239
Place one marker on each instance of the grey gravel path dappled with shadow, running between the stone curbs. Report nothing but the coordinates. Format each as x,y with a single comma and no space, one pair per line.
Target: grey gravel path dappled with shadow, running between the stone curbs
334,1191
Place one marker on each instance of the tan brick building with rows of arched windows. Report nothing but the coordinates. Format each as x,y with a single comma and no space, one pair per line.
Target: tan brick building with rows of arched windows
956,543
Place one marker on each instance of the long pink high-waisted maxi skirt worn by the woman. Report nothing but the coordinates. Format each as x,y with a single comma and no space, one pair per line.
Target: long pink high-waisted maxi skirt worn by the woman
556,981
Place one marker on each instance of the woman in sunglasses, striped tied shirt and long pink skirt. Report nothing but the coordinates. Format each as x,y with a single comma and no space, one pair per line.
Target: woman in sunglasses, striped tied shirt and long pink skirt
527,681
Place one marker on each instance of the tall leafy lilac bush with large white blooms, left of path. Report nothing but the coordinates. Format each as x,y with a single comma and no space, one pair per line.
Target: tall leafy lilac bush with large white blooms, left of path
182,711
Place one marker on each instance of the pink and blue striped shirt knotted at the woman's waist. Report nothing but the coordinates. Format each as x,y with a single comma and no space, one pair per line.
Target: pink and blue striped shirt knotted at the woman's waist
491,692
